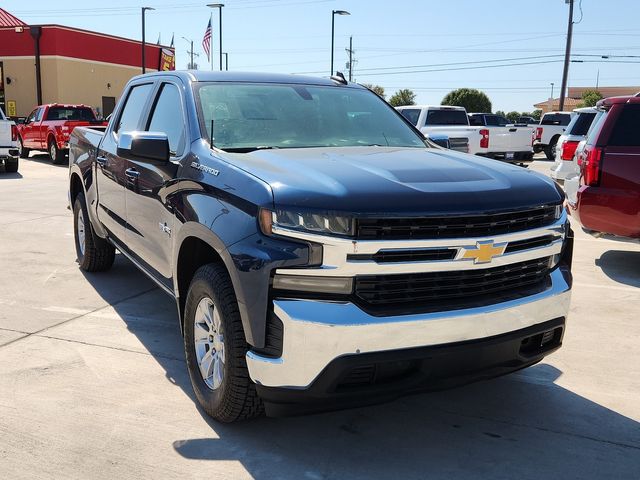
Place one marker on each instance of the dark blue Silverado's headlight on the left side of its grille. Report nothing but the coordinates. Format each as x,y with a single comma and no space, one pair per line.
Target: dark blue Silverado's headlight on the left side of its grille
318,223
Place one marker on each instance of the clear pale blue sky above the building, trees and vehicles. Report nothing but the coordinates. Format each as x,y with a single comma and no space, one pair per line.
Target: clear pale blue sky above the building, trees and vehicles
428,46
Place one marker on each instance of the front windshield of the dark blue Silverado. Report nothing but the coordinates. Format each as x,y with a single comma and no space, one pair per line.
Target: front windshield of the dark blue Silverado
245,117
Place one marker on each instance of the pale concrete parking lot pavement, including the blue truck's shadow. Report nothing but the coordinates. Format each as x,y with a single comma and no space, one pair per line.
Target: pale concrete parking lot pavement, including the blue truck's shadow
93,383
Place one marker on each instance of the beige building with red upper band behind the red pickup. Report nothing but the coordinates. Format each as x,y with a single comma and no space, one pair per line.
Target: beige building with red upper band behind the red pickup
42,64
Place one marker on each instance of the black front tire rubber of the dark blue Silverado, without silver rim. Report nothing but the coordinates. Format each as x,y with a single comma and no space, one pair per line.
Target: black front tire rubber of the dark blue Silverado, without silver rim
235,398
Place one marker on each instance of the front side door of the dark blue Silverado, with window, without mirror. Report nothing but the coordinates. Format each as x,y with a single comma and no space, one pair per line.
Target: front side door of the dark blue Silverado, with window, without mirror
150,218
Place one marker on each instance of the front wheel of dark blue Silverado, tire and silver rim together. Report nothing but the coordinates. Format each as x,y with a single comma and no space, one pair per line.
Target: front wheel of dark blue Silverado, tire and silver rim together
215,348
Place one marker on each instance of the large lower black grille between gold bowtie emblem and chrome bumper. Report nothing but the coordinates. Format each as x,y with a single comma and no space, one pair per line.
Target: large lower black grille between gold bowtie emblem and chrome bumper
451,290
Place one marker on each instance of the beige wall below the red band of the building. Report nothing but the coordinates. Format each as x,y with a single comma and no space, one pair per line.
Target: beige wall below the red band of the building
64,80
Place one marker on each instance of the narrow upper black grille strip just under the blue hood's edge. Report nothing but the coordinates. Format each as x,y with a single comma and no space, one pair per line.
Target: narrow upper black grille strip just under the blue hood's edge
453,226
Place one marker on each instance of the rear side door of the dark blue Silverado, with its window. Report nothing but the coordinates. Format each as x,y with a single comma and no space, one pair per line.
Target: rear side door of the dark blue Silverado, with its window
111,169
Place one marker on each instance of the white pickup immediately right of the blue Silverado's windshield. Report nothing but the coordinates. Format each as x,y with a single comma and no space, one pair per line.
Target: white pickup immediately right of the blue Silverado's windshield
438,121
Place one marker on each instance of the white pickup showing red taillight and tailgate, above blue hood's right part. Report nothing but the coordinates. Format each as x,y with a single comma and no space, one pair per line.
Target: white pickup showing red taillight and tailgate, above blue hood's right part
501,139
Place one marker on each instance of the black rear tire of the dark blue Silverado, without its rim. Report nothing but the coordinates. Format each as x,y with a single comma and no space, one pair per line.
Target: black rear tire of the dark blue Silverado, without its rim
98,254
